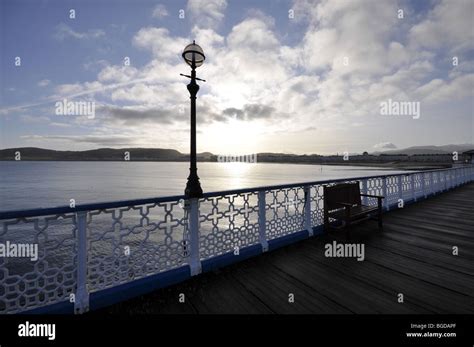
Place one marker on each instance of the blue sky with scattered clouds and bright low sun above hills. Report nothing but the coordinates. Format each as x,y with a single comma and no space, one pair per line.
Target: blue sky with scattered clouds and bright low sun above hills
298,76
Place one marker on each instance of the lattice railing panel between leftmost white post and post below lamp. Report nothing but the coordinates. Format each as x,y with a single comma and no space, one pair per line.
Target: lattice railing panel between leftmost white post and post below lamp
133,242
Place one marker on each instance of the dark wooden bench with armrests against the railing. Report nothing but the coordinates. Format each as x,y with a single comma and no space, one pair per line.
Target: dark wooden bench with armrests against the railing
342,203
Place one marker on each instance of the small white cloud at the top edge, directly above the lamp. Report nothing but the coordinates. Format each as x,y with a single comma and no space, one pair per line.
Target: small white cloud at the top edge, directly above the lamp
206,13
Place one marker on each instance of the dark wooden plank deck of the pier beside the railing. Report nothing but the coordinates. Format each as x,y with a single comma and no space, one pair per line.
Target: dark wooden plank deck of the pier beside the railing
412,256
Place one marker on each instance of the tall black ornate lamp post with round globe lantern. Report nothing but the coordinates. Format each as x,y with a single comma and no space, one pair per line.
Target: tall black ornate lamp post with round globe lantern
193,55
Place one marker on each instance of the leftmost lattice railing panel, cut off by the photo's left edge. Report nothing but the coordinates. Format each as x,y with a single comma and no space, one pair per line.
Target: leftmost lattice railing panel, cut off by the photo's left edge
27,283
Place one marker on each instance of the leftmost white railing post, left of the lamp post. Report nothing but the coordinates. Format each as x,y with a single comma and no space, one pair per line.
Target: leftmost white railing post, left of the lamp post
81,297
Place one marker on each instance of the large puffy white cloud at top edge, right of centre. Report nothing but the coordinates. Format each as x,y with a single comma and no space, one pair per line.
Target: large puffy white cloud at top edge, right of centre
352,37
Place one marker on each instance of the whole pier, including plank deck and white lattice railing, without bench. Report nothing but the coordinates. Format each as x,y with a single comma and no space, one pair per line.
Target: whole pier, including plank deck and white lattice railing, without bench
256,250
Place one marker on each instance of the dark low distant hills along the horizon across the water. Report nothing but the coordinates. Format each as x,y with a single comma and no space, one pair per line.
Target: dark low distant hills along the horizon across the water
413,156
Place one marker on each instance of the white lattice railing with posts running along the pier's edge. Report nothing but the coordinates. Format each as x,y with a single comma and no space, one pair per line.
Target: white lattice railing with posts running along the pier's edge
91,248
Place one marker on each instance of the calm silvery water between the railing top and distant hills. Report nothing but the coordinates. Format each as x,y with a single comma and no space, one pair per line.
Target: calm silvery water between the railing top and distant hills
29,184
